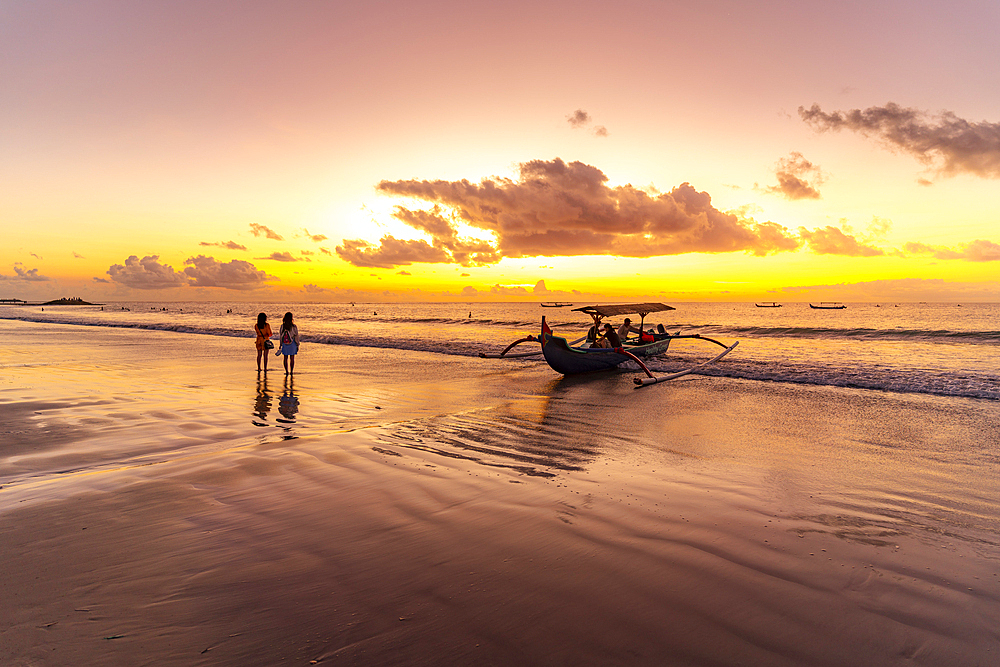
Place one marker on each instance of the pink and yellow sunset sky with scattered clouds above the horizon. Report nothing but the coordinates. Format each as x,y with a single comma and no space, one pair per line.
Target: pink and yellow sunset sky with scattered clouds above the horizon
483,151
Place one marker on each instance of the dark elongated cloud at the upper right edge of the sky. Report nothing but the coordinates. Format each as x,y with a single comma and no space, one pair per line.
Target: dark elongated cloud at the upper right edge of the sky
954,144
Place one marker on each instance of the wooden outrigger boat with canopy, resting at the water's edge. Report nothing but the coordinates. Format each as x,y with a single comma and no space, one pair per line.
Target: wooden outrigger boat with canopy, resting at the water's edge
571,358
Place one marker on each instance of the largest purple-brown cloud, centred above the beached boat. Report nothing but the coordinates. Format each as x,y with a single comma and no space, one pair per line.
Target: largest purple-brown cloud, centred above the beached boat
559,209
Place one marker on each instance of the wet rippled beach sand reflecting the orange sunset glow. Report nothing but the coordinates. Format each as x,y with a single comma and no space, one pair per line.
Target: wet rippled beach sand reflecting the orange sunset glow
161,505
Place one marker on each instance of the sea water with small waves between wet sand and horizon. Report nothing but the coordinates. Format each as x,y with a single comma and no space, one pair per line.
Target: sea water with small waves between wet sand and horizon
925,348
